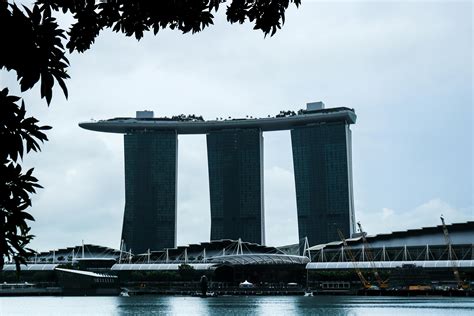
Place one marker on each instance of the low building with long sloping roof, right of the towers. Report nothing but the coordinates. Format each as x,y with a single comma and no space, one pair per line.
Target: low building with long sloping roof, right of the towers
405,256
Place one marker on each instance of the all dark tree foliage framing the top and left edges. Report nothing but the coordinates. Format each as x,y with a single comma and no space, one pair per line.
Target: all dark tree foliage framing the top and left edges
34,47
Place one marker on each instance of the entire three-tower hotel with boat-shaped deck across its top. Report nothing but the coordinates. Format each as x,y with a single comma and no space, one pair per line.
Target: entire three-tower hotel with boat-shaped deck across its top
321,144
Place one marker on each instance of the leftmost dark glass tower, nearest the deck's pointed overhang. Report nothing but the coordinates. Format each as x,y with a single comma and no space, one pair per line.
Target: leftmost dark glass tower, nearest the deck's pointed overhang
150,191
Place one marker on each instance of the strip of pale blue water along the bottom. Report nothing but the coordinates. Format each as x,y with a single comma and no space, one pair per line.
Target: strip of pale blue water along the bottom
235,305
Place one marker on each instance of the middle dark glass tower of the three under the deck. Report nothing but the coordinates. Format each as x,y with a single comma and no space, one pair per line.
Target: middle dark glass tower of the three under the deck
235,159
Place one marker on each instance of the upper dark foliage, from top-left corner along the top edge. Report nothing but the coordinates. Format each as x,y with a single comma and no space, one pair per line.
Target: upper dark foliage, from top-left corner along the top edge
34,49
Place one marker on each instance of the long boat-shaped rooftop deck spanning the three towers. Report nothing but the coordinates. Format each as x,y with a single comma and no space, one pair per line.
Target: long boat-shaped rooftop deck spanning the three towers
197,126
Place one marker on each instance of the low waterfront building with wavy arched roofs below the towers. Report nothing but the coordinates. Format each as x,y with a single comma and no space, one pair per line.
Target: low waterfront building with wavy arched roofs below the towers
230,261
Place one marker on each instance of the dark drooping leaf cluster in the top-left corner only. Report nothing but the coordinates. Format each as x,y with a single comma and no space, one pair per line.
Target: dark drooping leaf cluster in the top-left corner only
32,46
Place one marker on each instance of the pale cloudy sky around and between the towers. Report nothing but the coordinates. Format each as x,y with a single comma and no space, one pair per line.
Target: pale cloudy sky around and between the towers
405,67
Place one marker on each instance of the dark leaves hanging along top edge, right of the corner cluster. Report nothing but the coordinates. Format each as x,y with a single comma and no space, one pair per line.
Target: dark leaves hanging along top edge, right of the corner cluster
134,18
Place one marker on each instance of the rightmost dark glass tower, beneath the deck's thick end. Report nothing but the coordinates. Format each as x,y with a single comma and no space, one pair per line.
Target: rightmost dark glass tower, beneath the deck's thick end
323,178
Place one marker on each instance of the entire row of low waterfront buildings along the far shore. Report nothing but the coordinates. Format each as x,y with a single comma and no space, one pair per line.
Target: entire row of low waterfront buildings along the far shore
419,256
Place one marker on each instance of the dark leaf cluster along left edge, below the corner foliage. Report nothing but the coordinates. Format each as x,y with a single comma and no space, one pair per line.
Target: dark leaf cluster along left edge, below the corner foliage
18,134
